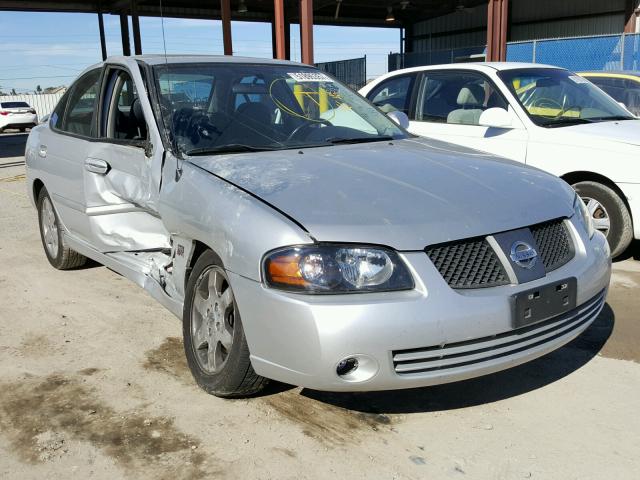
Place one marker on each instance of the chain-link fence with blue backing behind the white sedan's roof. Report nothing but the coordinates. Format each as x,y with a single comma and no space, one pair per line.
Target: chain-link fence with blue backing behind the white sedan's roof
606,52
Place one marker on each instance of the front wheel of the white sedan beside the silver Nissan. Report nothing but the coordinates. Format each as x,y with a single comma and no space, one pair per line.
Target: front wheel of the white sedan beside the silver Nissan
603,202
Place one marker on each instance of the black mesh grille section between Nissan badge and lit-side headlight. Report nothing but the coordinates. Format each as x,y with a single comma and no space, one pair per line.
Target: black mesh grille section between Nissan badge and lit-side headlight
468,264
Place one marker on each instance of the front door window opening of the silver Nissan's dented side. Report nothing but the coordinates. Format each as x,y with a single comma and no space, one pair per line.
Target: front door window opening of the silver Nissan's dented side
126,119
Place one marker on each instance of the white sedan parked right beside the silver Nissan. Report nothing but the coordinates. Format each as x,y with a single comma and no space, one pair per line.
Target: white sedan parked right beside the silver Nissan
540,115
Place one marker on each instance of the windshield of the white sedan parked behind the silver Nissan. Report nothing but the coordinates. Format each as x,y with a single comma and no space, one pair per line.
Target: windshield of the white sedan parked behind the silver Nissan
555,97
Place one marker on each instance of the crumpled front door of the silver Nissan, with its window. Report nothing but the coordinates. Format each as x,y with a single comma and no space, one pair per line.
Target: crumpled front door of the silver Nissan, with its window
121,171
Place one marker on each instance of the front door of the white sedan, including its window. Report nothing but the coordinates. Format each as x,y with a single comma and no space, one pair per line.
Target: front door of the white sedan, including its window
447,105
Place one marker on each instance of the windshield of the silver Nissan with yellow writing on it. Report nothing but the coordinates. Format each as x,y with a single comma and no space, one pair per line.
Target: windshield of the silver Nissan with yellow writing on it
222,107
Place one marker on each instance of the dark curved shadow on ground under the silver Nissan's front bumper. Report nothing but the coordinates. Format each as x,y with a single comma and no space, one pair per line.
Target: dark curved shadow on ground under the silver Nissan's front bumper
487,389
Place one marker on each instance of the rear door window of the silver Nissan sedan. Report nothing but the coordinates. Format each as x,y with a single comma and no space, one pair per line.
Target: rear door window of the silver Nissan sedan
81,106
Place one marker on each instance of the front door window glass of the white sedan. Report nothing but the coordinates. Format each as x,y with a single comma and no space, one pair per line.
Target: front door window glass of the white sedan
456,98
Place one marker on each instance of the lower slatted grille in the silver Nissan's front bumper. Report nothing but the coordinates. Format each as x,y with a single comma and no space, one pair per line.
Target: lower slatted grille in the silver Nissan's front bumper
452,356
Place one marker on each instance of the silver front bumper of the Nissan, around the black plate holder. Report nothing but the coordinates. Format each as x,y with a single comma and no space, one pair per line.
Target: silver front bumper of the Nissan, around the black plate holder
300,339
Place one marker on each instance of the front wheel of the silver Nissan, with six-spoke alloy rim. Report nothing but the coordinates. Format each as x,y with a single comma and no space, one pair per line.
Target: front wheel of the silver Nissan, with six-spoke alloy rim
223,369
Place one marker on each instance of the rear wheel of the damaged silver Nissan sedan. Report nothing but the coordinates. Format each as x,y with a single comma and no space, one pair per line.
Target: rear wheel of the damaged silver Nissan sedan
58,253
